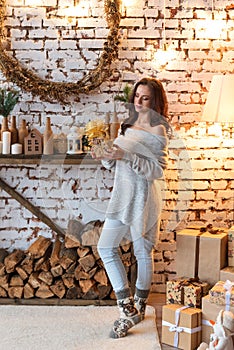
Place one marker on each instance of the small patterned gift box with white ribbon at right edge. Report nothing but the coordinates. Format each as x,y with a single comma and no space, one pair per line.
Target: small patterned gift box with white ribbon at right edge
222,293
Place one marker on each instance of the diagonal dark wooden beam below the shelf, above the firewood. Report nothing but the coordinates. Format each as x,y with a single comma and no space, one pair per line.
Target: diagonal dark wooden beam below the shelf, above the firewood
36,211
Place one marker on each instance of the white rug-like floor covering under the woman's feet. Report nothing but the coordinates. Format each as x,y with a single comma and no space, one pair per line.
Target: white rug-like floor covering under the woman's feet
24,327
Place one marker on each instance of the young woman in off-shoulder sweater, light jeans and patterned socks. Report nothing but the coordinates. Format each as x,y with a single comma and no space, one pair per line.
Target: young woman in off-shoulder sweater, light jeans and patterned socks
139,156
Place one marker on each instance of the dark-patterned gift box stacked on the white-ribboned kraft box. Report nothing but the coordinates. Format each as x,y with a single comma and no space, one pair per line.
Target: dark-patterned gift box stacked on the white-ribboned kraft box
186,291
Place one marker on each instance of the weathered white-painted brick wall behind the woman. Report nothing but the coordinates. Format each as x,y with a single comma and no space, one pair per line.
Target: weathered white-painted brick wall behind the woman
199,178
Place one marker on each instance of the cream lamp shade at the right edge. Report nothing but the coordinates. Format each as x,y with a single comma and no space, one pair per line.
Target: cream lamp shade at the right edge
219,105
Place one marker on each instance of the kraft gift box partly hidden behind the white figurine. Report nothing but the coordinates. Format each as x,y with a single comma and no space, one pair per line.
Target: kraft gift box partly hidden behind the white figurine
210,311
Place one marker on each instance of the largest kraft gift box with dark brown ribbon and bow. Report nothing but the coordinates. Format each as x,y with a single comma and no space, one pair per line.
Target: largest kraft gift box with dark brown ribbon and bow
192,259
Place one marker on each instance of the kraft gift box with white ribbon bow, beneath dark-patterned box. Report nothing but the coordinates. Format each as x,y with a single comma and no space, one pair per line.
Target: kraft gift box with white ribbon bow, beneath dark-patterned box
181,326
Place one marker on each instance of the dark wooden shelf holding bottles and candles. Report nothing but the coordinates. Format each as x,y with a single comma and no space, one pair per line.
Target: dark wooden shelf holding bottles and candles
83,158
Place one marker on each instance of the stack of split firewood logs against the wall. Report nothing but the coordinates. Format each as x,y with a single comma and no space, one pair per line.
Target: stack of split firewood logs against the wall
67,267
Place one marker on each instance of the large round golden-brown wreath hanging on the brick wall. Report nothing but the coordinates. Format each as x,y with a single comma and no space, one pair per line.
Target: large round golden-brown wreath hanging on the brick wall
29,81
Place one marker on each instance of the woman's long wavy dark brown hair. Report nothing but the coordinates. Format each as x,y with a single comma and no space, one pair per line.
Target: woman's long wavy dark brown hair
159,105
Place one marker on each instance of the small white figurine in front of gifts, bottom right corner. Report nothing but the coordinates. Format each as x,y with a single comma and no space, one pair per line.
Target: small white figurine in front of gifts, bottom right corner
221,339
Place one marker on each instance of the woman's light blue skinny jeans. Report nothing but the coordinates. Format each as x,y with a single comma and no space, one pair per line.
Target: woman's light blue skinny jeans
112,234
